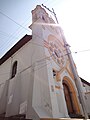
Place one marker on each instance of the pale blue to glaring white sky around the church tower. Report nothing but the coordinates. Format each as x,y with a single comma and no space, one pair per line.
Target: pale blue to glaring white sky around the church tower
73,16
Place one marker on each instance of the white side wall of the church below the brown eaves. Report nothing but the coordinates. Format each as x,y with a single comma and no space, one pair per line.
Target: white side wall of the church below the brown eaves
23,71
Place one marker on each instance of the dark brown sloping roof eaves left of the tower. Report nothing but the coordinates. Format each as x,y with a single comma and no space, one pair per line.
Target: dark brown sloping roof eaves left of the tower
15,48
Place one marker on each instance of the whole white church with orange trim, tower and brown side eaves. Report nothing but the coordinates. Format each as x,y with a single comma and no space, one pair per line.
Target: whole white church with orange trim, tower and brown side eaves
36,77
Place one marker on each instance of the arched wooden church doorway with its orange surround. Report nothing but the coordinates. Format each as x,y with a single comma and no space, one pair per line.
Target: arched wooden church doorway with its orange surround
71,97
